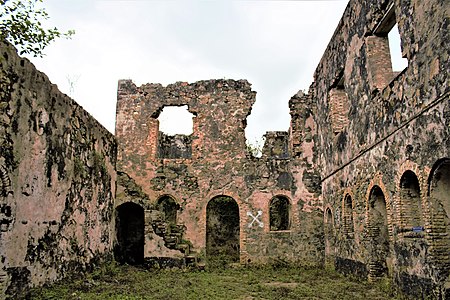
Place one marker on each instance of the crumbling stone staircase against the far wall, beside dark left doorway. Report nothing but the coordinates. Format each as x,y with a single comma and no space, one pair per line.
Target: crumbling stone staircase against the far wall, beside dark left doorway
172,235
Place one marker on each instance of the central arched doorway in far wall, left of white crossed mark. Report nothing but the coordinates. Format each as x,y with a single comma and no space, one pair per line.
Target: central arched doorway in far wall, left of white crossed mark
222,229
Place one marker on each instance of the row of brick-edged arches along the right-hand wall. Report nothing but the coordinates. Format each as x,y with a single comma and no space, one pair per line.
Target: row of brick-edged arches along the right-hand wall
416,211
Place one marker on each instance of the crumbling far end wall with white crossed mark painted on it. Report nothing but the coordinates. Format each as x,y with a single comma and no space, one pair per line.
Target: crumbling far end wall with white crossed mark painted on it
218,165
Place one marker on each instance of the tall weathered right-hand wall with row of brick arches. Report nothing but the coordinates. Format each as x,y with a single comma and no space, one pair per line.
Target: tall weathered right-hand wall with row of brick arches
393,135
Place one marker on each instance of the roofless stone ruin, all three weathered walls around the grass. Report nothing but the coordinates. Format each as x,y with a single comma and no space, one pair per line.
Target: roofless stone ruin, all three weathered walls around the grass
360,181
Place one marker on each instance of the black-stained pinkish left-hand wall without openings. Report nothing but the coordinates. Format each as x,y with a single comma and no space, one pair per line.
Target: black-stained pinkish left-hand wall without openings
57,169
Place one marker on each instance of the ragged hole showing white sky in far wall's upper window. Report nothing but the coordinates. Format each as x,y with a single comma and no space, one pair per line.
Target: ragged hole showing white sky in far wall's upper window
176,120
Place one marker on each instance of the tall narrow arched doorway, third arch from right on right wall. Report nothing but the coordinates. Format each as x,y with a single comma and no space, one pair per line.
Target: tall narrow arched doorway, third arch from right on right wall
378,233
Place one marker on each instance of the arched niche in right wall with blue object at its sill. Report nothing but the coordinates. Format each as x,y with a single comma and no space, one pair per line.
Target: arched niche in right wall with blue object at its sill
410,198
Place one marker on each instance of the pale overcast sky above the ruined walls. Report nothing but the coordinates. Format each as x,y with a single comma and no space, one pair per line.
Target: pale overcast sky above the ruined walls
275,45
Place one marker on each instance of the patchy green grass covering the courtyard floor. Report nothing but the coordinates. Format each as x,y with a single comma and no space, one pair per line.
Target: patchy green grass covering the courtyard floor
269,282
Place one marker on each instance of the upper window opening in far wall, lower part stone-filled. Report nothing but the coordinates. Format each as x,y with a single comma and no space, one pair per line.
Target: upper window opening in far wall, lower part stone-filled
175,132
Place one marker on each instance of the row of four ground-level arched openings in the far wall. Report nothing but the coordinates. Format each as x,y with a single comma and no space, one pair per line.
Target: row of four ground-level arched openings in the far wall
222,226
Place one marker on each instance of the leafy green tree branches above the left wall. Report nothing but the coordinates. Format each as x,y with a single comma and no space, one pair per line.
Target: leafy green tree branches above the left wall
21,24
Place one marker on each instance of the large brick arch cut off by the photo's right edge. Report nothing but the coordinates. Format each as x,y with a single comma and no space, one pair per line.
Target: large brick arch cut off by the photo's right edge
439,206
